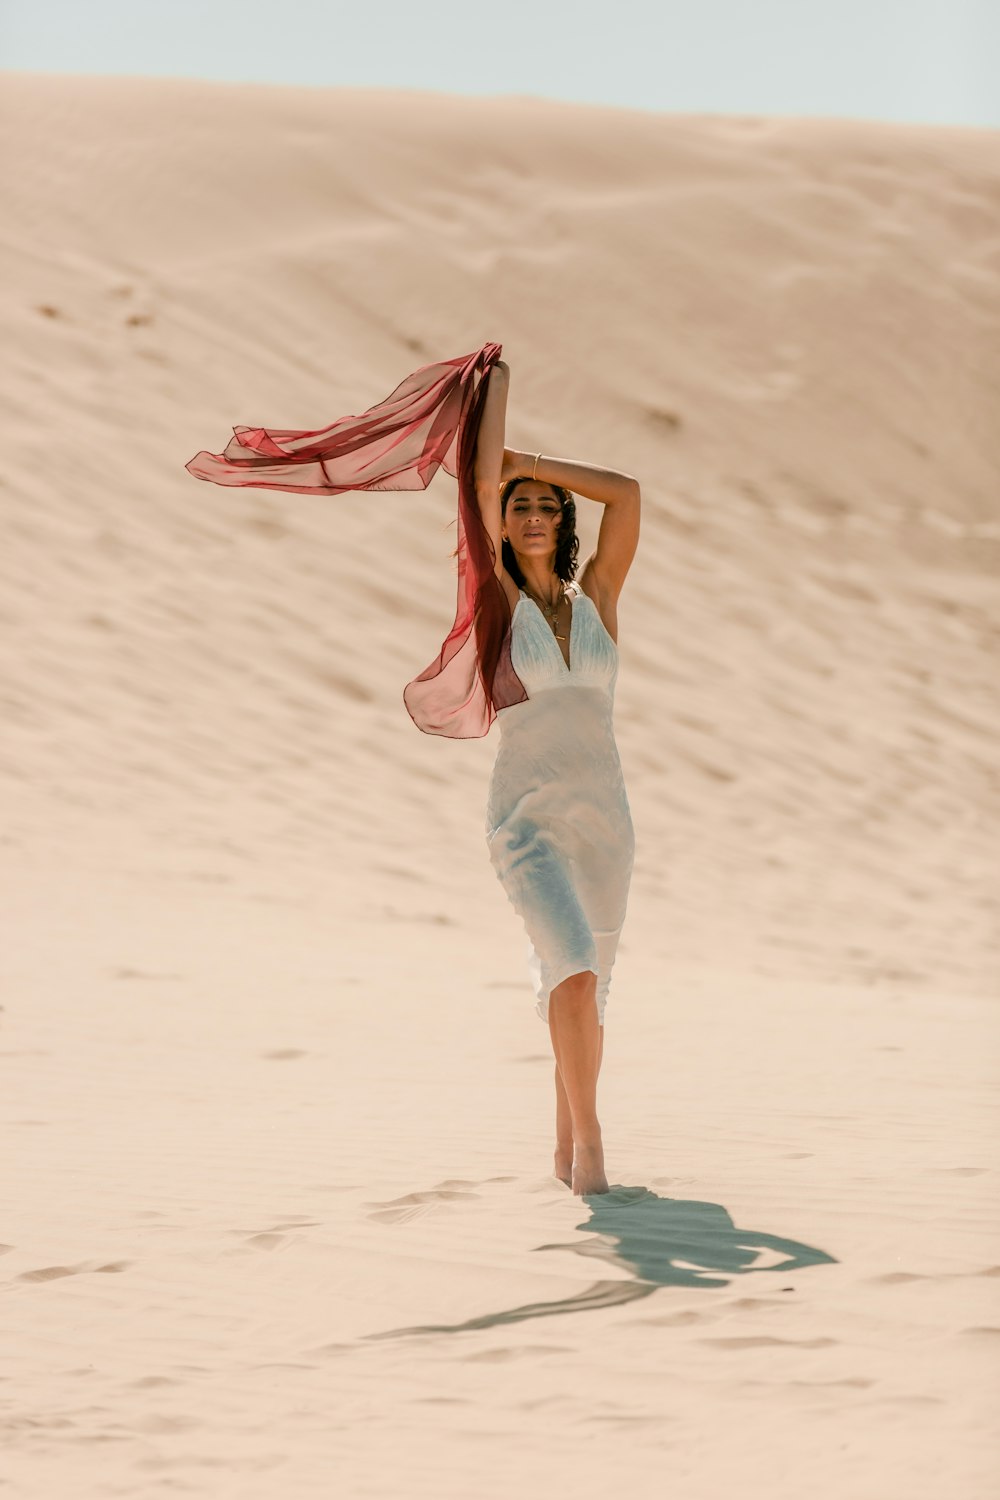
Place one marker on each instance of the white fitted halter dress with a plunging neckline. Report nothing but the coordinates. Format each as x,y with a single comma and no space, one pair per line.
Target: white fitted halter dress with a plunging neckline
558,826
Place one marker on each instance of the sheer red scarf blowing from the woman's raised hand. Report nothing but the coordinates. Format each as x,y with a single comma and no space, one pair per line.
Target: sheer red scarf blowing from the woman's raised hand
431,421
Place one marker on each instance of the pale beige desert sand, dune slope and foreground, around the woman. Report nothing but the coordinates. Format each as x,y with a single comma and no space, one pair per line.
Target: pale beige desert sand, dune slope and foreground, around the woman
278,1114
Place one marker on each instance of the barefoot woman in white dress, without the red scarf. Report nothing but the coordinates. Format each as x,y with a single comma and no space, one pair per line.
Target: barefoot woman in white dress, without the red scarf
558,823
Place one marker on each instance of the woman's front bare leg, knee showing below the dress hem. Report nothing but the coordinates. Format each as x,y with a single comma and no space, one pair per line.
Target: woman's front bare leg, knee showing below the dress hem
576,1042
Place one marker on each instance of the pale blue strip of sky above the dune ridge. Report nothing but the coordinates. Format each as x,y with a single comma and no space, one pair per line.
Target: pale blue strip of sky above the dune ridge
933,62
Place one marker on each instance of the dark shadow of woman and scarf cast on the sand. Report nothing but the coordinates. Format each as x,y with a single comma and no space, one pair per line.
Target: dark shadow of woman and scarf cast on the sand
663,1243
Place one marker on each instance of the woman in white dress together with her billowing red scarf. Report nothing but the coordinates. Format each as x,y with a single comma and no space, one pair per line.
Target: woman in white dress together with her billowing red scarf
524,650
